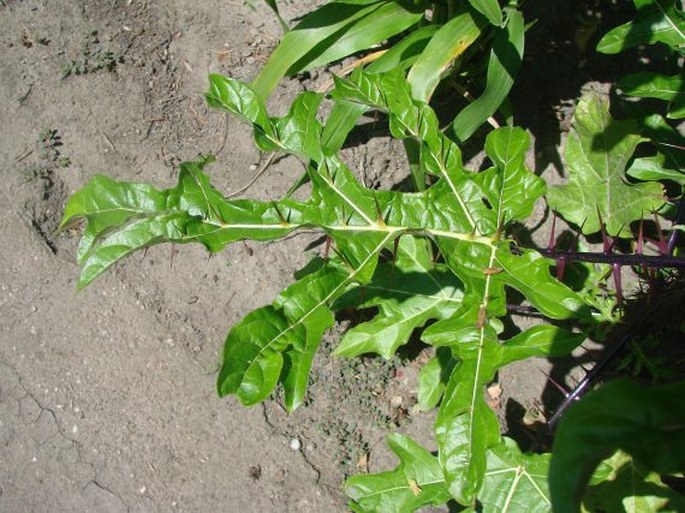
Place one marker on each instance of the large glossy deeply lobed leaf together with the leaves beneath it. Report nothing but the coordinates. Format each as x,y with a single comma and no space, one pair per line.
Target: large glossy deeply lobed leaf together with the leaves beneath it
463,215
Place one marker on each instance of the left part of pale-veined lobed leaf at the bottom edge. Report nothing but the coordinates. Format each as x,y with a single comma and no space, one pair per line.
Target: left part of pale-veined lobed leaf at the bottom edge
416,482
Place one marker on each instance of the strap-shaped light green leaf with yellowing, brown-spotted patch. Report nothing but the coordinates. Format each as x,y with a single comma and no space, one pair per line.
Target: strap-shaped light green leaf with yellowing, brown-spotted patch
449,43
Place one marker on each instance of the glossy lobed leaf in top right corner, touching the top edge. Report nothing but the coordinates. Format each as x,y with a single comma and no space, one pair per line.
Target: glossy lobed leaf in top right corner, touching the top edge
657,21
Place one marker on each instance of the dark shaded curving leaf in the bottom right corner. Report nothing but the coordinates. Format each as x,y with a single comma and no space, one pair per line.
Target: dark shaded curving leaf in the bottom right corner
647,422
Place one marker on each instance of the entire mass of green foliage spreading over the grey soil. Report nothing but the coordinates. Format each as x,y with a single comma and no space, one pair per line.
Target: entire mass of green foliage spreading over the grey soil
441,260
